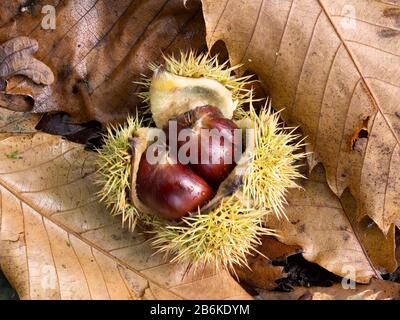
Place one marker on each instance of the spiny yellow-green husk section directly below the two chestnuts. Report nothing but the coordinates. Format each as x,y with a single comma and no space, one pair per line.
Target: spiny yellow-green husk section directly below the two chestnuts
222,237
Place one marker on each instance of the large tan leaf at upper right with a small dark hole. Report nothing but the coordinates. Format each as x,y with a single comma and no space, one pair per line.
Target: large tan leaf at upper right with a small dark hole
335,68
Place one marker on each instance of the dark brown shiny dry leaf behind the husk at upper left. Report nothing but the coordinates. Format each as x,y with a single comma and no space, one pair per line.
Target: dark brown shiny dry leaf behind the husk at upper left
99,49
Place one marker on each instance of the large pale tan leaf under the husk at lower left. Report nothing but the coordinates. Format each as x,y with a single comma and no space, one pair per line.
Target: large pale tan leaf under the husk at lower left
58,242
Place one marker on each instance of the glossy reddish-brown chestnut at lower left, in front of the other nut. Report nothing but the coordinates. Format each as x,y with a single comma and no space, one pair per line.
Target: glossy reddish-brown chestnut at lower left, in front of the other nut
170,188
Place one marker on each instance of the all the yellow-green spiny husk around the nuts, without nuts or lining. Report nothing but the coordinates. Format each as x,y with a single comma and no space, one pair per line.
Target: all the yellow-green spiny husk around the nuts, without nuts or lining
226,234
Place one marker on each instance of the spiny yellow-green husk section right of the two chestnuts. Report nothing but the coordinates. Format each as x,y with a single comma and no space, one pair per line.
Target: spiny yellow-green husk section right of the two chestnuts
273,169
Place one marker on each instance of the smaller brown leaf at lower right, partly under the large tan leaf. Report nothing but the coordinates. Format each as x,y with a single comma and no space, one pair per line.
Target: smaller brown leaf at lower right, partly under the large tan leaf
323,225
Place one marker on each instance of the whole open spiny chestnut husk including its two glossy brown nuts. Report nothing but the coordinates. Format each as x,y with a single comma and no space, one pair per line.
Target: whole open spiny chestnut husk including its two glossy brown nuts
200,213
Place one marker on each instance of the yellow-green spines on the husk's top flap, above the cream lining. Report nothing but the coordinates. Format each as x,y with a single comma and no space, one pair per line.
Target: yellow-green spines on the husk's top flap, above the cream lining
194,65
